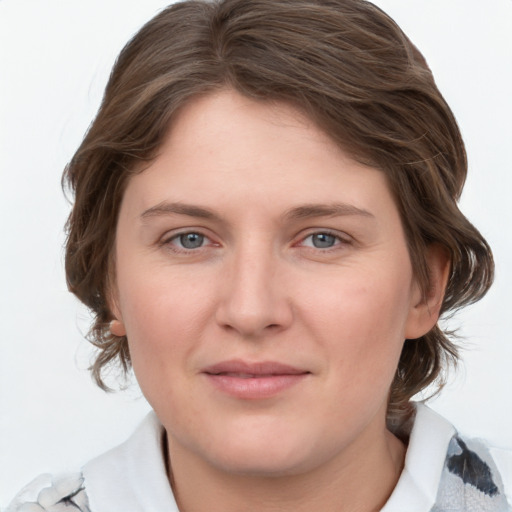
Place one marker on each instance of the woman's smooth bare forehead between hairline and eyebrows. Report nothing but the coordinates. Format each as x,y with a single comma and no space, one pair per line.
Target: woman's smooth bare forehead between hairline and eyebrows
225,148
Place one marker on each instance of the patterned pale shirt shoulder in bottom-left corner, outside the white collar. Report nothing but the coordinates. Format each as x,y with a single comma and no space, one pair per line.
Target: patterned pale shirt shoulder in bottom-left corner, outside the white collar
48,493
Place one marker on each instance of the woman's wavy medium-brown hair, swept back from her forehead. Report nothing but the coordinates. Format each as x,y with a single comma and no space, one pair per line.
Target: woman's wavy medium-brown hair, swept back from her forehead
347,66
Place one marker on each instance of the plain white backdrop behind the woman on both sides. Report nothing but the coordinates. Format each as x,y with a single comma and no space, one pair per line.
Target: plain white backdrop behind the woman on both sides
55,57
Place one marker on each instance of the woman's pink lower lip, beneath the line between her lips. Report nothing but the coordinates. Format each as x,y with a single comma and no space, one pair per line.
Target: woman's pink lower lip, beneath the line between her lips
255,388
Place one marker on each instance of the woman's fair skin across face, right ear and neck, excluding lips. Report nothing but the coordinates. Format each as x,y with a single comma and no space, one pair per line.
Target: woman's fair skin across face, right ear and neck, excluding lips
332,294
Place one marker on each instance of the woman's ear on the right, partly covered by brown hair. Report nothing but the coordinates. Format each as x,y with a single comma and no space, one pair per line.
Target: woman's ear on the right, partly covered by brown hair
426,306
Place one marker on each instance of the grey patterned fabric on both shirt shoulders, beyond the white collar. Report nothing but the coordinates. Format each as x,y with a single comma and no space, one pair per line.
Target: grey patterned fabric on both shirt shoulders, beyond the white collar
470,482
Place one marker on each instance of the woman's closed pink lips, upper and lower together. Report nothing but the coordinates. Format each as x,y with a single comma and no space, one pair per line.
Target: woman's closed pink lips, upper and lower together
253,380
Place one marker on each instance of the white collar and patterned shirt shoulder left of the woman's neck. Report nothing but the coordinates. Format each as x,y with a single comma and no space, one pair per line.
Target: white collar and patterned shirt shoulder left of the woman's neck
128,478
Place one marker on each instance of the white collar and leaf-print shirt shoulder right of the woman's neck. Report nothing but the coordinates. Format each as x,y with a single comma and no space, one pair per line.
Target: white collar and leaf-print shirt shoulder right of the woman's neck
446,471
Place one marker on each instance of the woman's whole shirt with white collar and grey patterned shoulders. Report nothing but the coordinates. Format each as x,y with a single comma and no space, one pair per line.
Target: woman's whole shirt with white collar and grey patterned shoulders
442,473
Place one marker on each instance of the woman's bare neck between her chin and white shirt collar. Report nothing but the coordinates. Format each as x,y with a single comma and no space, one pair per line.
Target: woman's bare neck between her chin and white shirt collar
360,479
